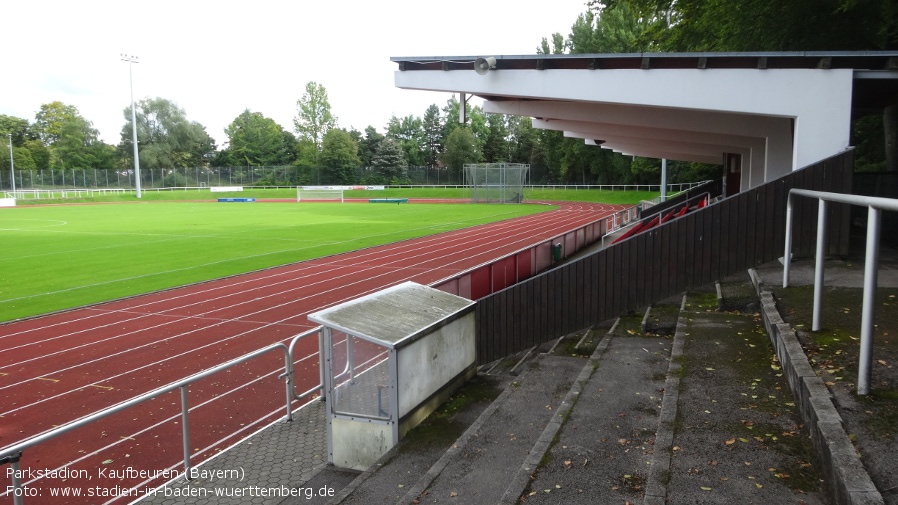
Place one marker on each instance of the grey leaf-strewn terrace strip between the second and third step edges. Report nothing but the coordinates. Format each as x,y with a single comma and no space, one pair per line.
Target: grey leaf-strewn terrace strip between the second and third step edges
604,450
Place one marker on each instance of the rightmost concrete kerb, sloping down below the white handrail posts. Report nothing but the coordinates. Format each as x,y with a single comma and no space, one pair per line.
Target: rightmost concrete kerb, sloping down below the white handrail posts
848,479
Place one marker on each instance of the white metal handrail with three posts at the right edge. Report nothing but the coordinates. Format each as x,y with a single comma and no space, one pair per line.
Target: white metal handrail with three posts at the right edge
875,206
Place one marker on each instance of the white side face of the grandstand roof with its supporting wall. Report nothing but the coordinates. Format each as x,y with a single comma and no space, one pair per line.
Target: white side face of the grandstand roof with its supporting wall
819,101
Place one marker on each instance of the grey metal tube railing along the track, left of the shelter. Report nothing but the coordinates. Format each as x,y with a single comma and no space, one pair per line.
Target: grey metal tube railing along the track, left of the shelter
13,454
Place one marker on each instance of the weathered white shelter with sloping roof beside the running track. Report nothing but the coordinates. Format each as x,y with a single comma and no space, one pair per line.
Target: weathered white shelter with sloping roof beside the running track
389,359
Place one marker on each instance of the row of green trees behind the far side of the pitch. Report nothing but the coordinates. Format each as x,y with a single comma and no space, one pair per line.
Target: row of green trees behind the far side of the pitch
320,151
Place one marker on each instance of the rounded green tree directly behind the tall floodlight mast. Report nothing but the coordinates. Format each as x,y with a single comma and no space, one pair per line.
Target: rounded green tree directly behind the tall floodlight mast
166,138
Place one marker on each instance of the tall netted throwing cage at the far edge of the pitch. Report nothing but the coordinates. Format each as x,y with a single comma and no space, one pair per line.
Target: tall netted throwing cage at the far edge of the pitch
497,182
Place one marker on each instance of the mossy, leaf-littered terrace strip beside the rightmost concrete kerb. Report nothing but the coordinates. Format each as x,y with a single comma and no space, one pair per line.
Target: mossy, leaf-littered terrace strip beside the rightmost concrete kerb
737,436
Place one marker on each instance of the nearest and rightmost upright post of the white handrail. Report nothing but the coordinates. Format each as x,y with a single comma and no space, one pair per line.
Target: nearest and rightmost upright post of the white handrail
865,359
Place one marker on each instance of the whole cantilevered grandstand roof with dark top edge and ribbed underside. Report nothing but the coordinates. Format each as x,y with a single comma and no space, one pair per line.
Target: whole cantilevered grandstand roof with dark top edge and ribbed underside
781,111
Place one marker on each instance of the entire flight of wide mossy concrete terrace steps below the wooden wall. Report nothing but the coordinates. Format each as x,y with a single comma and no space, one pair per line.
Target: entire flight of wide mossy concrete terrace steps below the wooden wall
683,402
